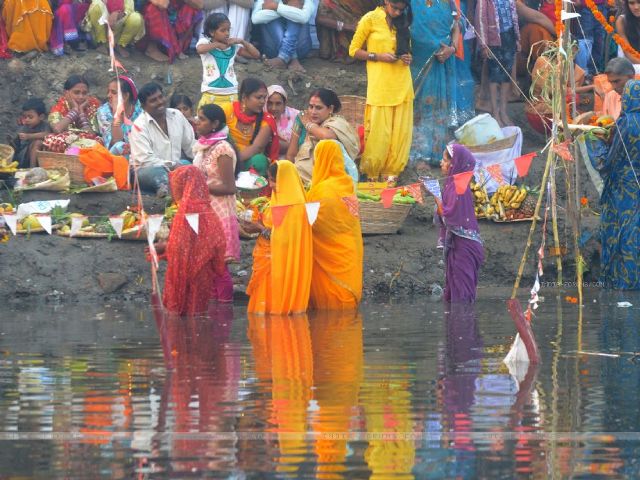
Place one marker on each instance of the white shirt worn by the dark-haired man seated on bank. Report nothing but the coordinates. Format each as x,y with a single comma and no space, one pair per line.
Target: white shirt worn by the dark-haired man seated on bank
150,146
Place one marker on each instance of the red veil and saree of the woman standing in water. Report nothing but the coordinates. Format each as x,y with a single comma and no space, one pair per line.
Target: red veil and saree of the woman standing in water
194,260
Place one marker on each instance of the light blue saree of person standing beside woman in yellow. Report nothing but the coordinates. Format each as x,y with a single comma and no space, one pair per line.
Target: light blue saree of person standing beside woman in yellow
444,93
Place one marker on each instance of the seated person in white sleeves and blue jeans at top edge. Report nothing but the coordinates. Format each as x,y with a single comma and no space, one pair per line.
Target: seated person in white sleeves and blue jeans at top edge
285,30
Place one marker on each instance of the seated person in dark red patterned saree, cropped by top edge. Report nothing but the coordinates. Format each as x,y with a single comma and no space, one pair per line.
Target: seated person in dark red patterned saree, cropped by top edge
169,24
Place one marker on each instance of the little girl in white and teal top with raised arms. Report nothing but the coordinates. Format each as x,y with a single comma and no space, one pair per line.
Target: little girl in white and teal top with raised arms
218,52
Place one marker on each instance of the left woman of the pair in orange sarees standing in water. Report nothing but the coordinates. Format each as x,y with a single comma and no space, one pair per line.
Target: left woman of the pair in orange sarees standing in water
290,248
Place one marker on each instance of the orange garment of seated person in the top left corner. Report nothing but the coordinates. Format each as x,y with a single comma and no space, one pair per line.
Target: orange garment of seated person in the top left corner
28,24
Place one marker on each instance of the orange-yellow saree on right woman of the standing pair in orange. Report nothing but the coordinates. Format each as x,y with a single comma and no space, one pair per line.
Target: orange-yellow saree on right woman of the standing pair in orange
337,238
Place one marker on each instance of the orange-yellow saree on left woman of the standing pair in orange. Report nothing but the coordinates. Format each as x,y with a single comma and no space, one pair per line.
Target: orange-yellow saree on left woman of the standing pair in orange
291,244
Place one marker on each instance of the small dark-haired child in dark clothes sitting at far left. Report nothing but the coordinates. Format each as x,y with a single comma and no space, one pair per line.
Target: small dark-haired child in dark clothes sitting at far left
33,128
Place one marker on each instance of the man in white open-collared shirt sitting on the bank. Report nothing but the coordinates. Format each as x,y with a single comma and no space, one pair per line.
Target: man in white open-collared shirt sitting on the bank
160,139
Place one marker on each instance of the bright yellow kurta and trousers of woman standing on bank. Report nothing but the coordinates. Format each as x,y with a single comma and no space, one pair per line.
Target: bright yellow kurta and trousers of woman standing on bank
388,119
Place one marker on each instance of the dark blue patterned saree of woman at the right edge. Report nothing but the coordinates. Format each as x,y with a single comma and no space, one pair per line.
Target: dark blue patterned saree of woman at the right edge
620,200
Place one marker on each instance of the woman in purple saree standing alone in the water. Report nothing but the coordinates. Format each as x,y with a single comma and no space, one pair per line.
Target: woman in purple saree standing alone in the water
459,234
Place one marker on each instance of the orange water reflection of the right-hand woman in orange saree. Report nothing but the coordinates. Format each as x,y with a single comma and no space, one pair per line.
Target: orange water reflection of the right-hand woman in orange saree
336,383
